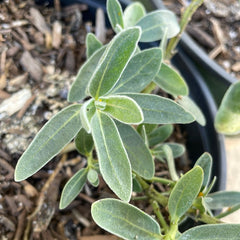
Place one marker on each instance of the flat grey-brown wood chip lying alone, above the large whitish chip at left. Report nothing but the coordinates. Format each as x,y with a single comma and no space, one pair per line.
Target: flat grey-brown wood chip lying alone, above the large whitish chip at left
32,66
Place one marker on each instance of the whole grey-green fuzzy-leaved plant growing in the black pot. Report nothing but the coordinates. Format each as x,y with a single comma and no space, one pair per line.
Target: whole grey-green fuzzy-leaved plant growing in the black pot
115,115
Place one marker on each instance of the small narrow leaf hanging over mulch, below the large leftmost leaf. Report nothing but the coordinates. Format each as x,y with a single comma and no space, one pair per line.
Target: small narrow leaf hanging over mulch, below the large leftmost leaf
73,187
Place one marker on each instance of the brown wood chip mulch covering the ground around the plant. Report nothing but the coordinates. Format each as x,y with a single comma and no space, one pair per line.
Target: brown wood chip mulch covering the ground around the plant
41,50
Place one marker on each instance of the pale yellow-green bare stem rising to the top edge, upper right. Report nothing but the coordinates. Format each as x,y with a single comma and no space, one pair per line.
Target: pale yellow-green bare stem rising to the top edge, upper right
186,17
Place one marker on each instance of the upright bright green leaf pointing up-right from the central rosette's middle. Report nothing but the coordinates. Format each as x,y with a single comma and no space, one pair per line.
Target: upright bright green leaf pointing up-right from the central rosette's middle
114,61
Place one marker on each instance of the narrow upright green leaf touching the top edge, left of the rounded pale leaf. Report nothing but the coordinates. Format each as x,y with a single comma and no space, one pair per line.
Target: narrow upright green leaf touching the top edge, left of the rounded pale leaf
115,14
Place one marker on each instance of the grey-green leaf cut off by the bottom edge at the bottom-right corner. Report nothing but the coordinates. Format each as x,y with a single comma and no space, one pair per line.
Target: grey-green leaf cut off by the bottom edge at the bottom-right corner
213,231
